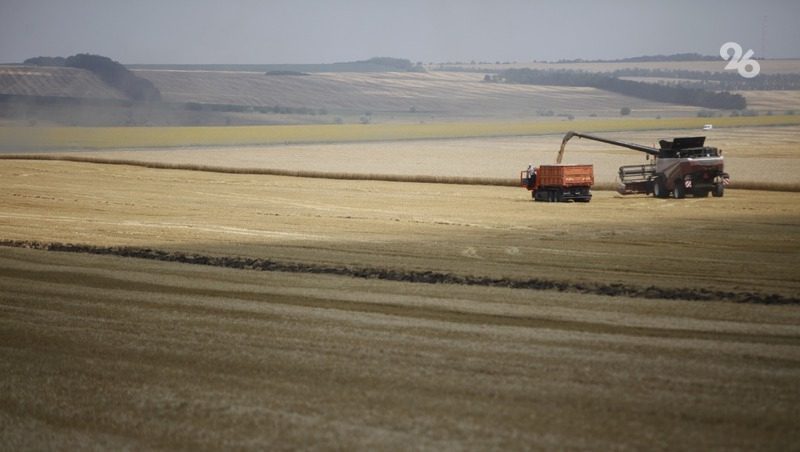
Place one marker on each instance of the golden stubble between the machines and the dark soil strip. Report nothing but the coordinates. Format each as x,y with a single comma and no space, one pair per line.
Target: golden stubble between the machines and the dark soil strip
477,230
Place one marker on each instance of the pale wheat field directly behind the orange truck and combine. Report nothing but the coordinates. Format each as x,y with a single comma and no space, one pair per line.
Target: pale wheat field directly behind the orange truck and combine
754,156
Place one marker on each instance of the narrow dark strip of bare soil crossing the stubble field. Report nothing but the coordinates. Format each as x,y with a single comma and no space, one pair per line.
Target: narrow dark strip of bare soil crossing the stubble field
424,277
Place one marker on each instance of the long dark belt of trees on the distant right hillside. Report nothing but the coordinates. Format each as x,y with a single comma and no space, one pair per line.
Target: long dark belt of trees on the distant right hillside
650,91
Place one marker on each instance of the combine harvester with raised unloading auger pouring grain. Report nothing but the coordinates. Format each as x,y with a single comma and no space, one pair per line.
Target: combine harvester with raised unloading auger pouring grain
681,166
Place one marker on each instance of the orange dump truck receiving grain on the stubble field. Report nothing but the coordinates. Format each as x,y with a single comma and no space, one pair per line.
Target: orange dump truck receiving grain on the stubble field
559,183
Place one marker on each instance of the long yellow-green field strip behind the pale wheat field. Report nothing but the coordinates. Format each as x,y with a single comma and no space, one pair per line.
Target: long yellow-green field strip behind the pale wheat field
36,138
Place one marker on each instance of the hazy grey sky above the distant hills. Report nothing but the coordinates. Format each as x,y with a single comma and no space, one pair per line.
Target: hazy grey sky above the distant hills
314,31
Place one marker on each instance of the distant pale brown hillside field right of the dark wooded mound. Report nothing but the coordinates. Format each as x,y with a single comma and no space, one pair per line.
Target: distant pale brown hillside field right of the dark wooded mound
438,94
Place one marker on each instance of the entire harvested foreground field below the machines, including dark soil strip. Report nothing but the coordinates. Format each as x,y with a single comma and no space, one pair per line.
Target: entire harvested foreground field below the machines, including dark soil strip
147,308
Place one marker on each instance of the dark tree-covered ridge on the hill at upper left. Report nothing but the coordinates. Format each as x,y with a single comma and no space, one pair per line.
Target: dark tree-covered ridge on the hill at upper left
109,71
